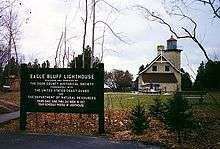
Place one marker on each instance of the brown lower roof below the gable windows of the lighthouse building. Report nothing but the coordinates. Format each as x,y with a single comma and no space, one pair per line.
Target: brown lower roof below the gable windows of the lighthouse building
159,78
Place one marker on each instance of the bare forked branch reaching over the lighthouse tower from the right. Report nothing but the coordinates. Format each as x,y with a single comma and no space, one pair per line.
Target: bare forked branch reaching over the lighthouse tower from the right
186,33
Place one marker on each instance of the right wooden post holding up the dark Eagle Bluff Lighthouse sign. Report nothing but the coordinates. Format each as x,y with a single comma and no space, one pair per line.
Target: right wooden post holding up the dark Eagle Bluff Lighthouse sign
101,98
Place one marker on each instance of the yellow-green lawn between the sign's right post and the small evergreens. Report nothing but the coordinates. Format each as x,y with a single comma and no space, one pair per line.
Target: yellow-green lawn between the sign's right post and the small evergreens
125,101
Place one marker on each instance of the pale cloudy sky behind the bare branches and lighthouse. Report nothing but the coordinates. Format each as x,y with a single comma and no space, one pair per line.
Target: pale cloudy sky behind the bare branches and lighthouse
43,21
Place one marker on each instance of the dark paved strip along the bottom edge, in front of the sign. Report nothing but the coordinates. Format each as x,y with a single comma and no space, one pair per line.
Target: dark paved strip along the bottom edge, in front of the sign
33,141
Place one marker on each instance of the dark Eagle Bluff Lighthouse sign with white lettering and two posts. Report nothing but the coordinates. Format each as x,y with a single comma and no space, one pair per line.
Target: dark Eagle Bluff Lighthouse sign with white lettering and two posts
62,90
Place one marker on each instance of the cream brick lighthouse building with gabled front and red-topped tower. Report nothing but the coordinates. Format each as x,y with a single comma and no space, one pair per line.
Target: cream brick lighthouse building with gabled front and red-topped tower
163,73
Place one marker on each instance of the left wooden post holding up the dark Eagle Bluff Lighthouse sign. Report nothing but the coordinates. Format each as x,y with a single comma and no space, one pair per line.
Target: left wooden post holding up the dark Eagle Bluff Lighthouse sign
23,114
